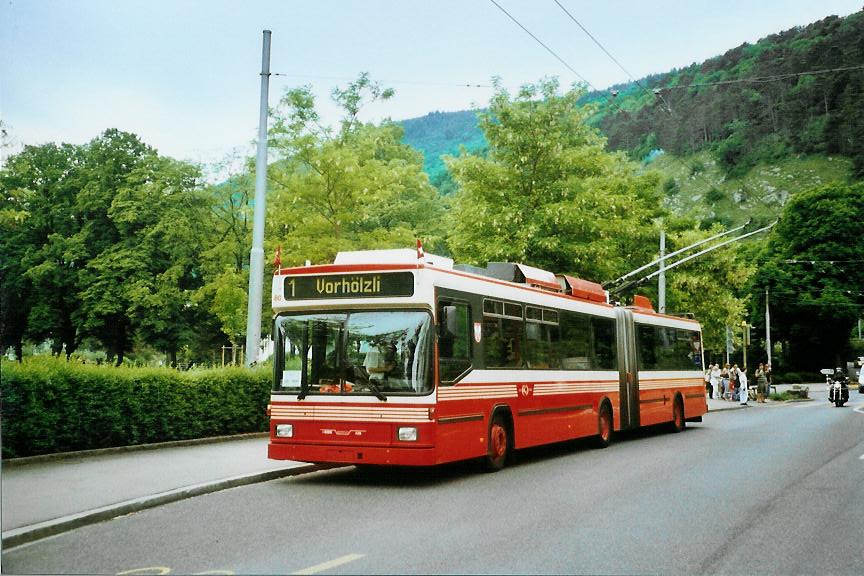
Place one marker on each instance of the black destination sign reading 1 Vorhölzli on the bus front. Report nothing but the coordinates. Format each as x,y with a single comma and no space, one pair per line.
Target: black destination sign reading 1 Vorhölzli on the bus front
349,286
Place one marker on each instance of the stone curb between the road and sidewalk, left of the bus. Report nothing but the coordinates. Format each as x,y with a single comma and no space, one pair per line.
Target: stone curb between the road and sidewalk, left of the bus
27,534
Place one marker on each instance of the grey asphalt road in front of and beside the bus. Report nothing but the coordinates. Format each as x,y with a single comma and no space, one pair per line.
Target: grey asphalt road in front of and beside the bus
763,490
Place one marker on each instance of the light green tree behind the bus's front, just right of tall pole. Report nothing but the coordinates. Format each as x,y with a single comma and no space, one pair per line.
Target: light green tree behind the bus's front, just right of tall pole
354,187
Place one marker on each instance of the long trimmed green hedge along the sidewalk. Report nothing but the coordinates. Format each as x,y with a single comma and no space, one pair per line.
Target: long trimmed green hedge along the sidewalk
52,406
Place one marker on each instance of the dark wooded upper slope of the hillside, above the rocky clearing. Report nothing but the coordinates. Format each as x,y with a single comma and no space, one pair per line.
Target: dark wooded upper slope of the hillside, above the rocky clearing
799,91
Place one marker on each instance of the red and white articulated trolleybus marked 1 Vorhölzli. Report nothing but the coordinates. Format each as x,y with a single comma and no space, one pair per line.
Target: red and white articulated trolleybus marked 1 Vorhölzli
396,357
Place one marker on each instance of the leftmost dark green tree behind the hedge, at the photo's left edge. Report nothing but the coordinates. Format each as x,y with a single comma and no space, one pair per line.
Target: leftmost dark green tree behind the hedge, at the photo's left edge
39,273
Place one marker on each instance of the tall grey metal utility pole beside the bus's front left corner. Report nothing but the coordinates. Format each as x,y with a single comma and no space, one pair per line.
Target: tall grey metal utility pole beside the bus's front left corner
256,255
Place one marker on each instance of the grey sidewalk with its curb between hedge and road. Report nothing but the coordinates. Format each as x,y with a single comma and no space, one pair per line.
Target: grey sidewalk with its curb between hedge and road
45,497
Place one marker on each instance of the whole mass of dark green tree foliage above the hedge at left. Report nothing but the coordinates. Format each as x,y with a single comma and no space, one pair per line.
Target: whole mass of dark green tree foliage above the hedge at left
106,237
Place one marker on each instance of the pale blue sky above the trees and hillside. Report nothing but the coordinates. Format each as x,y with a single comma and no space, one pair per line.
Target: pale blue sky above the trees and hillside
183,74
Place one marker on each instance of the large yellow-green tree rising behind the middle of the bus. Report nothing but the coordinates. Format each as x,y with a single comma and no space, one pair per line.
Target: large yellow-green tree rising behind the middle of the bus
548,193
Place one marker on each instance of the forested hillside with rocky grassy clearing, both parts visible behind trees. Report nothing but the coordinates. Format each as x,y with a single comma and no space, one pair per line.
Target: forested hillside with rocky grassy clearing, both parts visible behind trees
735,135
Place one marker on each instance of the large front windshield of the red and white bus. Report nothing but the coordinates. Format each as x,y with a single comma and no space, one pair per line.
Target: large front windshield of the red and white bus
368,353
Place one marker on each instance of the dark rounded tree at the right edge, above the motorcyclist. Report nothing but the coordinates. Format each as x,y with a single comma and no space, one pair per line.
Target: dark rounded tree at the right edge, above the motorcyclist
812,267
